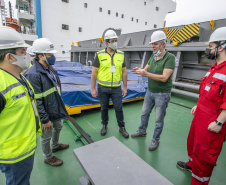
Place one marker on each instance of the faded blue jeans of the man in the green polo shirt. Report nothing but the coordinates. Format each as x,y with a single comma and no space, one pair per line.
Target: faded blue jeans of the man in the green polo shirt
160,101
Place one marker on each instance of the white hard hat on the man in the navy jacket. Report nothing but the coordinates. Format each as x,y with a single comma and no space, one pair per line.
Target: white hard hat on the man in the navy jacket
43,45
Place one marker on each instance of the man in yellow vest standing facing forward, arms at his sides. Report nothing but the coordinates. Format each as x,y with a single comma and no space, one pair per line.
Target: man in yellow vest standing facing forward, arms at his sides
110,67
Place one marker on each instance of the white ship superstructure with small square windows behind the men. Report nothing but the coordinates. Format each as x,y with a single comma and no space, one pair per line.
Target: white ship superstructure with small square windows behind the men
67,21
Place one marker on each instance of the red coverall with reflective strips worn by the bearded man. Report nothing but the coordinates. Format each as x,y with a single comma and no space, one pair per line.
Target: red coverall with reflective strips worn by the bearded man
204,146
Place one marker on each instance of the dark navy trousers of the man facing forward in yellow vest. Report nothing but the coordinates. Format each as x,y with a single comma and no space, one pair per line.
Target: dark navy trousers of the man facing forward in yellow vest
115,93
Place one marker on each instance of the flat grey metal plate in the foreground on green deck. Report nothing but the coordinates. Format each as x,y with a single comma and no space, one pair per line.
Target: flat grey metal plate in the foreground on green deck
110,162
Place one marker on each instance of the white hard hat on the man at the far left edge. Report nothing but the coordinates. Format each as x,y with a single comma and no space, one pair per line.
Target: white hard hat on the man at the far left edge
10,38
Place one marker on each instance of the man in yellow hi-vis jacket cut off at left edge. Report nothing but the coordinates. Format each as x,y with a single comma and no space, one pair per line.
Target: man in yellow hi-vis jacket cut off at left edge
19,120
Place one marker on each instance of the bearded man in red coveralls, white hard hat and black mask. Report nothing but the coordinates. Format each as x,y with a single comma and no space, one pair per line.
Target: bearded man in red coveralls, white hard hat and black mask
208,132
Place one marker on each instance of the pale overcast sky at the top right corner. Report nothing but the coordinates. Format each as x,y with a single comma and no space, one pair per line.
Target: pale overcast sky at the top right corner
194,11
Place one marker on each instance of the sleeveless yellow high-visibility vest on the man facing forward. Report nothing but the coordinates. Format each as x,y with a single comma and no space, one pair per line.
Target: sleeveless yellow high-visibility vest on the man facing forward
105,75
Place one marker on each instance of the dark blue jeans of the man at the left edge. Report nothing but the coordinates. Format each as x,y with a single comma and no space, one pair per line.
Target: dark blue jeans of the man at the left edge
18,173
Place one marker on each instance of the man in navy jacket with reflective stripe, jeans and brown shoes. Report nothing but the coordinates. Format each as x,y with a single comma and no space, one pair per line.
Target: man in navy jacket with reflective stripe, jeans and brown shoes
51,108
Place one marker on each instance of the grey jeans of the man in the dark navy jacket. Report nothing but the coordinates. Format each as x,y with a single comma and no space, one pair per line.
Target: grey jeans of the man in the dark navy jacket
47,135
